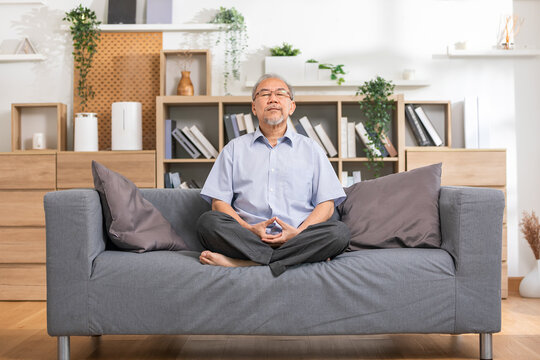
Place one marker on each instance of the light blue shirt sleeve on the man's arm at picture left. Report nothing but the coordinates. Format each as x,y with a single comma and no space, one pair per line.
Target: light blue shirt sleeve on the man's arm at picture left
219,183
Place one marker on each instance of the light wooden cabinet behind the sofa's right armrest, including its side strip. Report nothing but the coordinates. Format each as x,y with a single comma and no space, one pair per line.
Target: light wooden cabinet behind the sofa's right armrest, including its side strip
469,167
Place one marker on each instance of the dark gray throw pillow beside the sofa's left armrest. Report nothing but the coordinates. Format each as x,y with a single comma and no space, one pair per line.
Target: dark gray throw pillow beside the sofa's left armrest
132,222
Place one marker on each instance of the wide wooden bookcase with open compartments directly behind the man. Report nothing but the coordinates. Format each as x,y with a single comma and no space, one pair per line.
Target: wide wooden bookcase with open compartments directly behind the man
207,113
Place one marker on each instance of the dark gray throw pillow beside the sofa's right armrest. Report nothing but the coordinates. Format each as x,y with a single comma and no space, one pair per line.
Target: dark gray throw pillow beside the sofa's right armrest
398,210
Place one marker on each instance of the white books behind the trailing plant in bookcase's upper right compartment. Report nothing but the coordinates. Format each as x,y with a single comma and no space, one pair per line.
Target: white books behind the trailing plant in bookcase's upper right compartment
349,130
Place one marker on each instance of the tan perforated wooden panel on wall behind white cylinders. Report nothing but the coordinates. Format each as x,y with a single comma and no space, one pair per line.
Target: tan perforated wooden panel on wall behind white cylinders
125,68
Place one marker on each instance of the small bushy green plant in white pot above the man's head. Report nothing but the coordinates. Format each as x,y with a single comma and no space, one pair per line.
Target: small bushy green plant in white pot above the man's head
284,61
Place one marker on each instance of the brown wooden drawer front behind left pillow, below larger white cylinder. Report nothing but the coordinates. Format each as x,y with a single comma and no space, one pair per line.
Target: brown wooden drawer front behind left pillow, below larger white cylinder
74,169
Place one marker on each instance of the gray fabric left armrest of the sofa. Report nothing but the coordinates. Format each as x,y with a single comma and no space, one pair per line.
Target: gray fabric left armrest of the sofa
75,237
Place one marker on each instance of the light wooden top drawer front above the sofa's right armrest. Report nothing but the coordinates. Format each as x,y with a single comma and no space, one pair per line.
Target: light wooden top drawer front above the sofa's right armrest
464,167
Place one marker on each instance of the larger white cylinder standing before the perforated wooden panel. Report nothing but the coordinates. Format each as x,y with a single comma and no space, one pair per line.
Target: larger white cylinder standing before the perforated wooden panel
126,127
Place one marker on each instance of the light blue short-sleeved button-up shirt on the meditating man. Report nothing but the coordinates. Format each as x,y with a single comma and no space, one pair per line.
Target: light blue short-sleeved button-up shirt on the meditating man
261,181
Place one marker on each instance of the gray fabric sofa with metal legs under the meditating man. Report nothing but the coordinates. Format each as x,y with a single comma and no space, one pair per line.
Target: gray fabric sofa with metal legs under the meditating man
95,291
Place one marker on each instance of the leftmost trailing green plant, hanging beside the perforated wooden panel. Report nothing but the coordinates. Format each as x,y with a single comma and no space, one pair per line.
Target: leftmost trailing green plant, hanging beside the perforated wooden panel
86,34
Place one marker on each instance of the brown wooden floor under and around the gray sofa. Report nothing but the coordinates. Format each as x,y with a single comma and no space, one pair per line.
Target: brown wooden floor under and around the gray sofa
23,336
